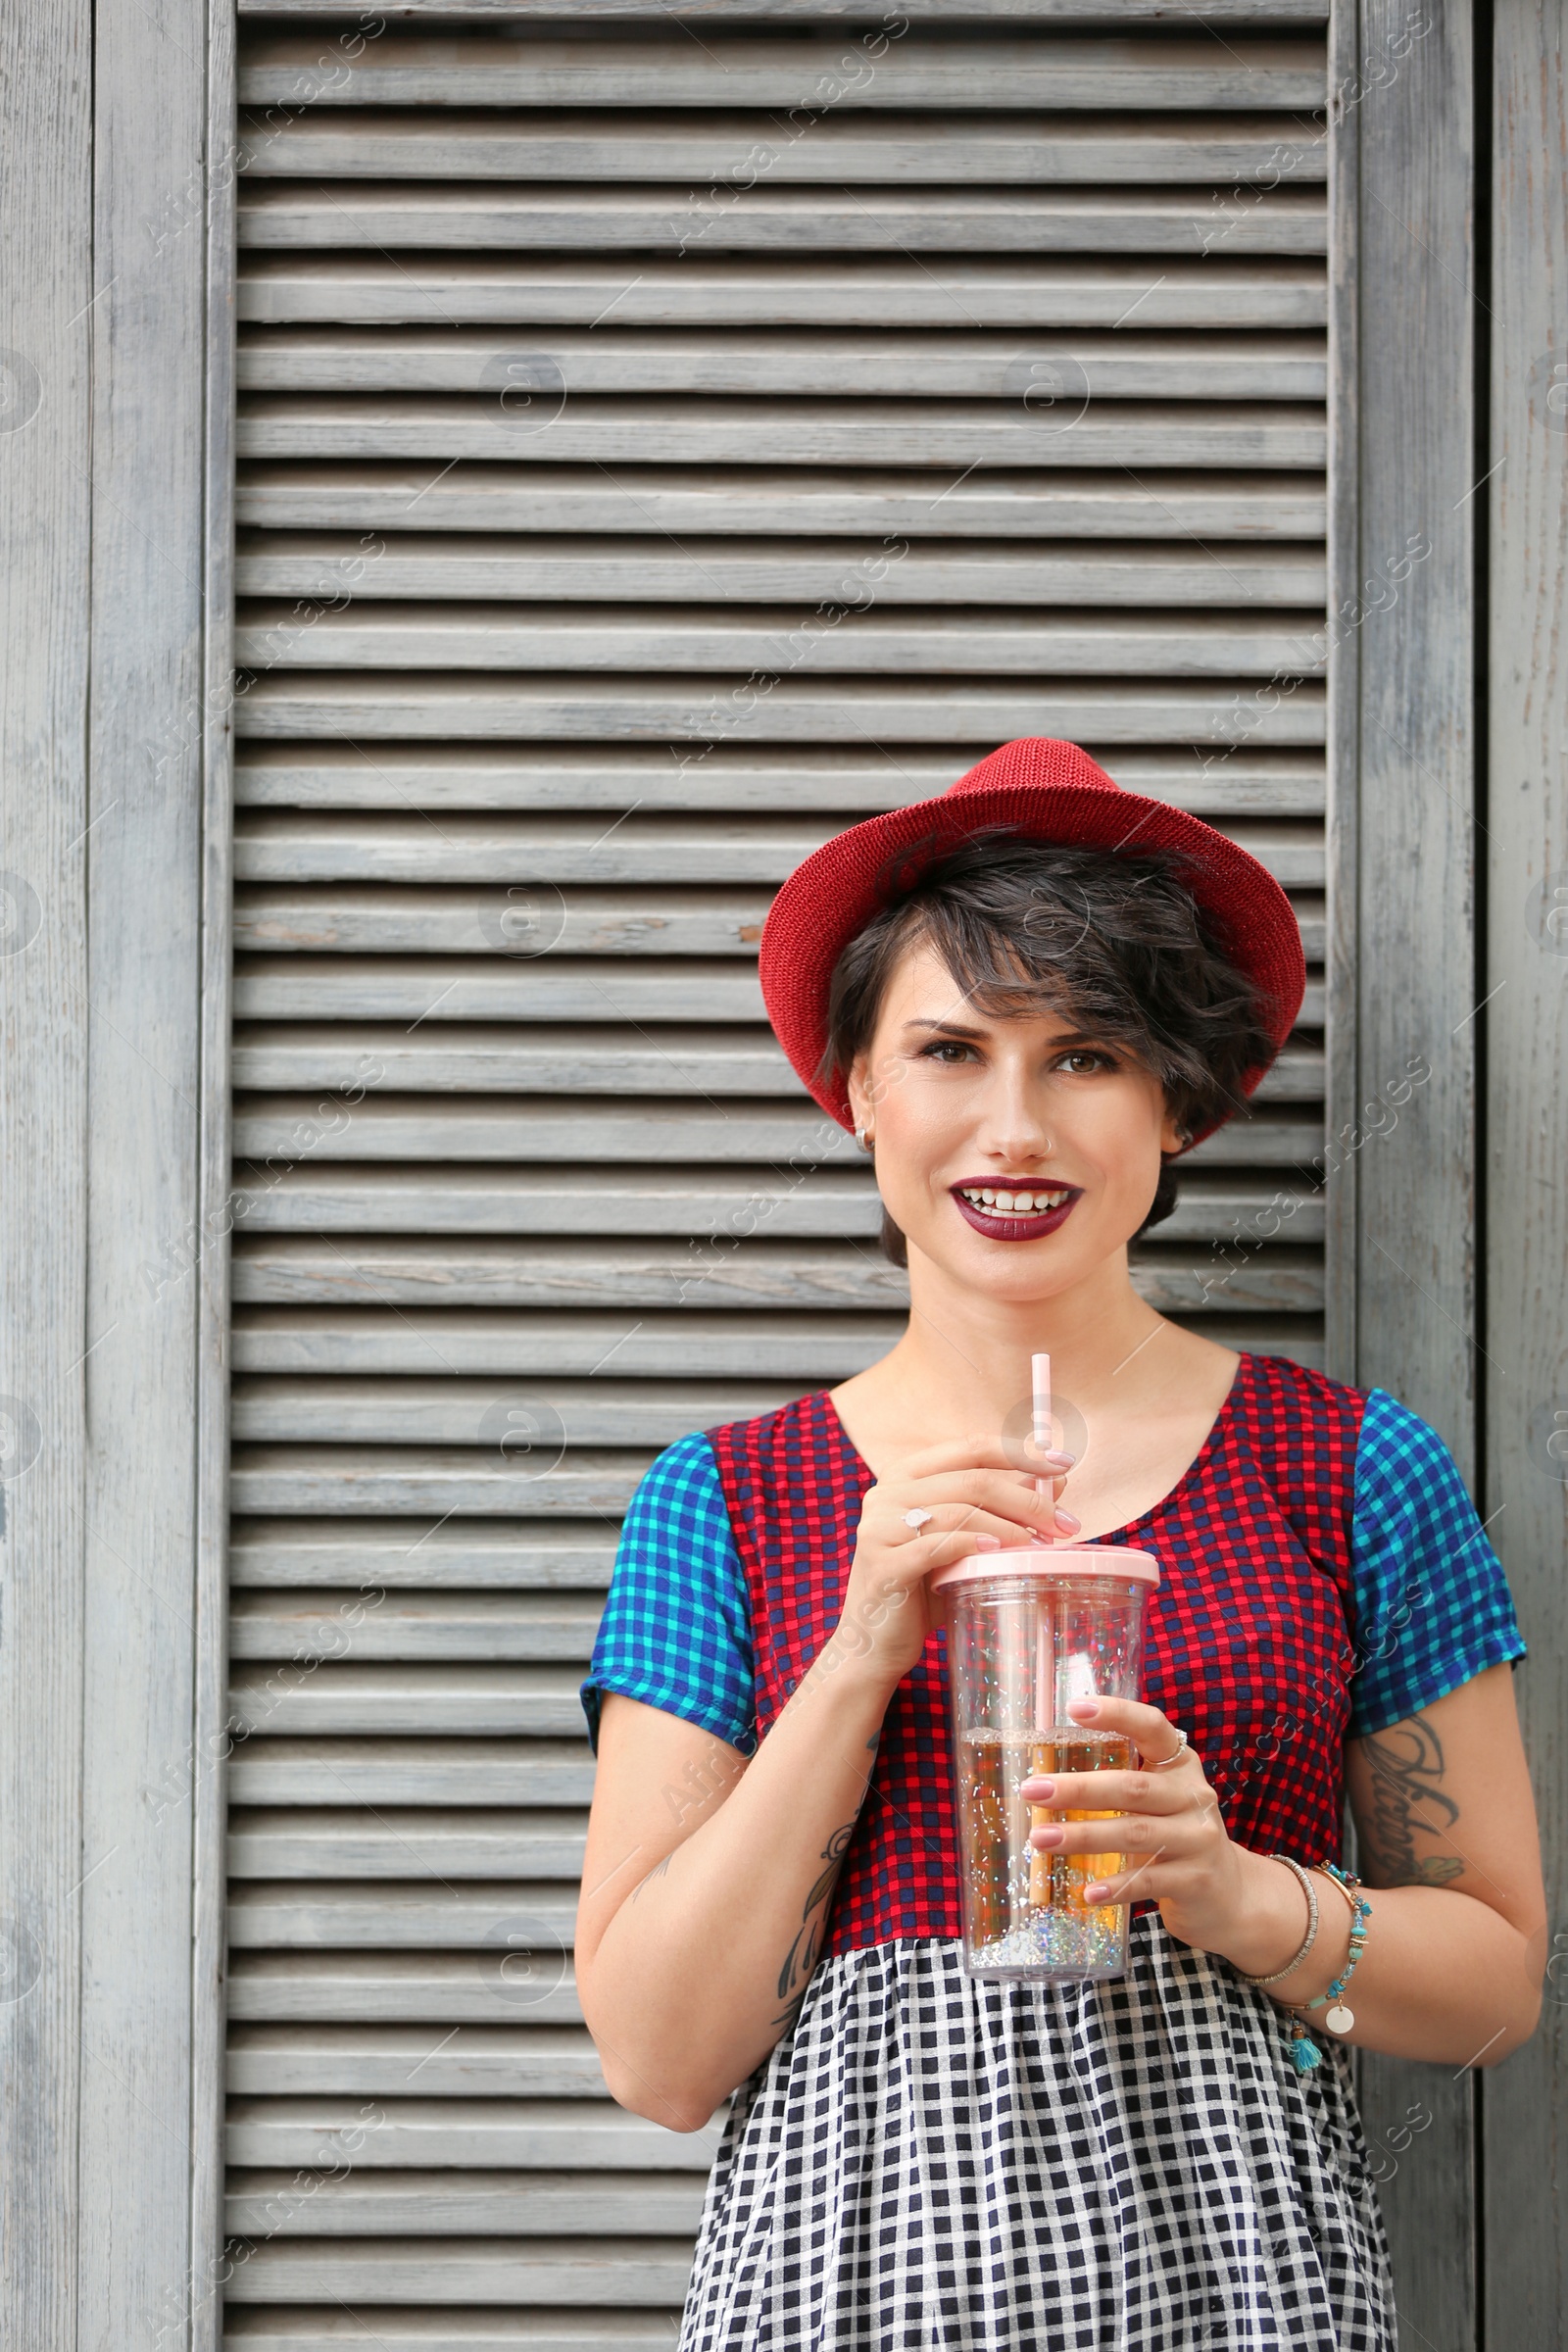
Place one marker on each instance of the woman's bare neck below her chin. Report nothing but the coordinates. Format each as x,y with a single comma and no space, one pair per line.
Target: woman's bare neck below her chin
967,1356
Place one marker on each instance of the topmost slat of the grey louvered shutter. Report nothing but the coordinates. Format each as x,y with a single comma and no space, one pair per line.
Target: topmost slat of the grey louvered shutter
758,72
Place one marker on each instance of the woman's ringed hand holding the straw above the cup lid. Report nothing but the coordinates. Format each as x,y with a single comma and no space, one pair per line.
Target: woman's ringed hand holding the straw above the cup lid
977,1502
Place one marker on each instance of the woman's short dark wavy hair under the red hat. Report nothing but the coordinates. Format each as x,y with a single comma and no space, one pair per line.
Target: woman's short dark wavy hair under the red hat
1113,942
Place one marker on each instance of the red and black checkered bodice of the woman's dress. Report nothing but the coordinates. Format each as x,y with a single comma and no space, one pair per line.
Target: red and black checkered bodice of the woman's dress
1247,1645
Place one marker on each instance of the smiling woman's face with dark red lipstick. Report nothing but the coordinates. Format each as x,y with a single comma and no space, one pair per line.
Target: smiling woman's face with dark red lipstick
1061,1130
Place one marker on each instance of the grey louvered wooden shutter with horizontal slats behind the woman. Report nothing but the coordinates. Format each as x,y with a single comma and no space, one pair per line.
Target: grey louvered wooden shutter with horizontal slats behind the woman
659,446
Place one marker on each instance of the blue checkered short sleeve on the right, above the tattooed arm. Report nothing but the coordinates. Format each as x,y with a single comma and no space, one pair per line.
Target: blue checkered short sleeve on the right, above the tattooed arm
1433,1603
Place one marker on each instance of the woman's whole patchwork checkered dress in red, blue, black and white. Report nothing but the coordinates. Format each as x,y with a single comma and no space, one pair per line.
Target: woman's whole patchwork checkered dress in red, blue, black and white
932,2160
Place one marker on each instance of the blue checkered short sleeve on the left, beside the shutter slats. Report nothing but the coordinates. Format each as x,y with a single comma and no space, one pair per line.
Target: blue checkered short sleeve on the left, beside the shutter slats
676,1626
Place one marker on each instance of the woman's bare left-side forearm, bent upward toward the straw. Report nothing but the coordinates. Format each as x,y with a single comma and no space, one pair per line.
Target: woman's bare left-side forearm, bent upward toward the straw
706,1963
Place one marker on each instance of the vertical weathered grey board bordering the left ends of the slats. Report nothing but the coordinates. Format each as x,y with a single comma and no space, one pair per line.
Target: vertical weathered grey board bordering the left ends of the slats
145,1349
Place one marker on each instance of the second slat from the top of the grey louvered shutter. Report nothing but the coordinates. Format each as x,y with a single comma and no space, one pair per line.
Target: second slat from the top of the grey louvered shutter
737,149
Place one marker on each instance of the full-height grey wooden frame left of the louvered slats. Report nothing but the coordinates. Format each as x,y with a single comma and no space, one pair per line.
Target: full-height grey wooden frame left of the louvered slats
107,2047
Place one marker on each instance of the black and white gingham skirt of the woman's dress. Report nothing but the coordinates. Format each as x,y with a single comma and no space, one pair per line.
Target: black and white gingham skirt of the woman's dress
998,2167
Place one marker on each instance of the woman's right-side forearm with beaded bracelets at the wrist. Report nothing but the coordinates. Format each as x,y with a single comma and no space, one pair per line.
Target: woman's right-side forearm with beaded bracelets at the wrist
1442,1977
